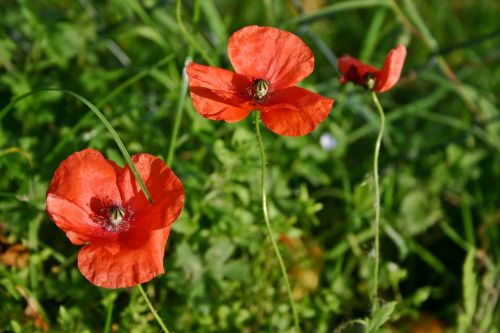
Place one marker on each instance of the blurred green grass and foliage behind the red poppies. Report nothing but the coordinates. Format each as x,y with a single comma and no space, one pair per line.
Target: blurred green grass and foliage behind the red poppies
439,165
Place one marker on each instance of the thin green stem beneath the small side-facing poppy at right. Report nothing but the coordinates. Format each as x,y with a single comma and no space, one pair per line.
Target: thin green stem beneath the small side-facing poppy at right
376,226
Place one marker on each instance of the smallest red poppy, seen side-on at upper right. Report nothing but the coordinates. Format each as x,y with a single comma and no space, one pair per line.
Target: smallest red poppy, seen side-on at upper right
380,81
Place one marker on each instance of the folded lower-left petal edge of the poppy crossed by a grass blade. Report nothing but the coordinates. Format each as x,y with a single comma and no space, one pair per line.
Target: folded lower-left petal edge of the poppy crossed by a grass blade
75,221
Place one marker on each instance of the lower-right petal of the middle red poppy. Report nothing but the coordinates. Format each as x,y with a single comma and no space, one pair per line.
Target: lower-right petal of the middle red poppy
295,111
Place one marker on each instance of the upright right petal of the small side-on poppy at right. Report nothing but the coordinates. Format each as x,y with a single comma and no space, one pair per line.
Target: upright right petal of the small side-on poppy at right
391,71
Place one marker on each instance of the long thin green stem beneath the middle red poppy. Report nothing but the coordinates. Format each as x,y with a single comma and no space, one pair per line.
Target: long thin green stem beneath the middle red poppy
268,224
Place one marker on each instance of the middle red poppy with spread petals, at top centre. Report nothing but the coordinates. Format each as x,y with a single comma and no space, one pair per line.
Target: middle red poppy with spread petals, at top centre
268,63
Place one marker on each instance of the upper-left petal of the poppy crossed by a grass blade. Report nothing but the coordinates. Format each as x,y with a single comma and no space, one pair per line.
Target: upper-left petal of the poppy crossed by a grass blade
81,178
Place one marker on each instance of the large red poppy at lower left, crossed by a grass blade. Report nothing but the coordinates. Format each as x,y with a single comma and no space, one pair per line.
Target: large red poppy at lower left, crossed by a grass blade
101,206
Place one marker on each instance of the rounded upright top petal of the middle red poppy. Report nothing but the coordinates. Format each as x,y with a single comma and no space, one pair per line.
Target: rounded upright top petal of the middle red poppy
274,55
